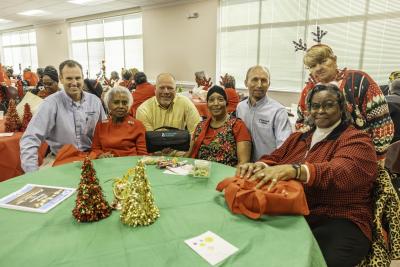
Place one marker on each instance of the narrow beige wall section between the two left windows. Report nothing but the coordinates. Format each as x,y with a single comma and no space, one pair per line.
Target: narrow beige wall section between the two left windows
52,44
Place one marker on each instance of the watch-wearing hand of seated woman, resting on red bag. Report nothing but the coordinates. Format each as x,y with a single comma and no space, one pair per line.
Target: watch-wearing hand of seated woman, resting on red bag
274,174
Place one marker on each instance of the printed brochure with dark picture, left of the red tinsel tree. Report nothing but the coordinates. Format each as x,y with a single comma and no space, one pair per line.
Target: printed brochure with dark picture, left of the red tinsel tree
36,198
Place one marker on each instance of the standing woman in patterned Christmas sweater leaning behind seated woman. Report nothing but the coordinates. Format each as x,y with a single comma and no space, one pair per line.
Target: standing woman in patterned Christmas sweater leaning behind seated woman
366,102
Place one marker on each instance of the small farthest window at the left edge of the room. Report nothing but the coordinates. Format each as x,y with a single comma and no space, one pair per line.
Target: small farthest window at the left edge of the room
19,50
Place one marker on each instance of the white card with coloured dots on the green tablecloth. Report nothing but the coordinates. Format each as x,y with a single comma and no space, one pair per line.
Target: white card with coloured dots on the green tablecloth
211,247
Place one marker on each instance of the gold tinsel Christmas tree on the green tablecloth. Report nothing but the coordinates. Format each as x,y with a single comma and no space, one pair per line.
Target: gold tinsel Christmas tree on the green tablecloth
138,208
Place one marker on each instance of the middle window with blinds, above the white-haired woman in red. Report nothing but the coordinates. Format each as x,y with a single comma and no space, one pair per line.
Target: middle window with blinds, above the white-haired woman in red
117,40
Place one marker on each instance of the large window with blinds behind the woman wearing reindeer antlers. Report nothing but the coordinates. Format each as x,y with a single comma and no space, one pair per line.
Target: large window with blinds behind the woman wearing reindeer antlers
363,35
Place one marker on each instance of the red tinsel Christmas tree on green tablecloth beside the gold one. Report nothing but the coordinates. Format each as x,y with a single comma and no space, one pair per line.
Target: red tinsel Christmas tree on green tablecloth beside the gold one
90,203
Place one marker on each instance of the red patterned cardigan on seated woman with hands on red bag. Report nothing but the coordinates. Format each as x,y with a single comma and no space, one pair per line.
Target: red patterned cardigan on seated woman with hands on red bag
343,168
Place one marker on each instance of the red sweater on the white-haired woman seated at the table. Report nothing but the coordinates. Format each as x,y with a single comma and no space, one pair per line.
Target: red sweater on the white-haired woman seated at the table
123,139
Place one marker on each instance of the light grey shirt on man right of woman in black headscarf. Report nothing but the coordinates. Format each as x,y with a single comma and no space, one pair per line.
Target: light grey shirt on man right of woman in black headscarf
267,122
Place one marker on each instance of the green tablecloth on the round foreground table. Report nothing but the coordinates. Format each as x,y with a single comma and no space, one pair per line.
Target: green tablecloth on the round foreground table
188,207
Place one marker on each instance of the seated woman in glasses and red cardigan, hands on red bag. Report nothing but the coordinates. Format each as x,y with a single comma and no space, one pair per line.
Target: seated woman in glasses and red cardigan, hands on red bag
338,165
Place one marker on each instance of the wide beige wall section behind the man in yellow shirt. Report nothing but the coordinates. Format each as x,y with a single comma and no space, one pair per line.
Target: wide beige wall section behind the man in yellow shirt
173,43
